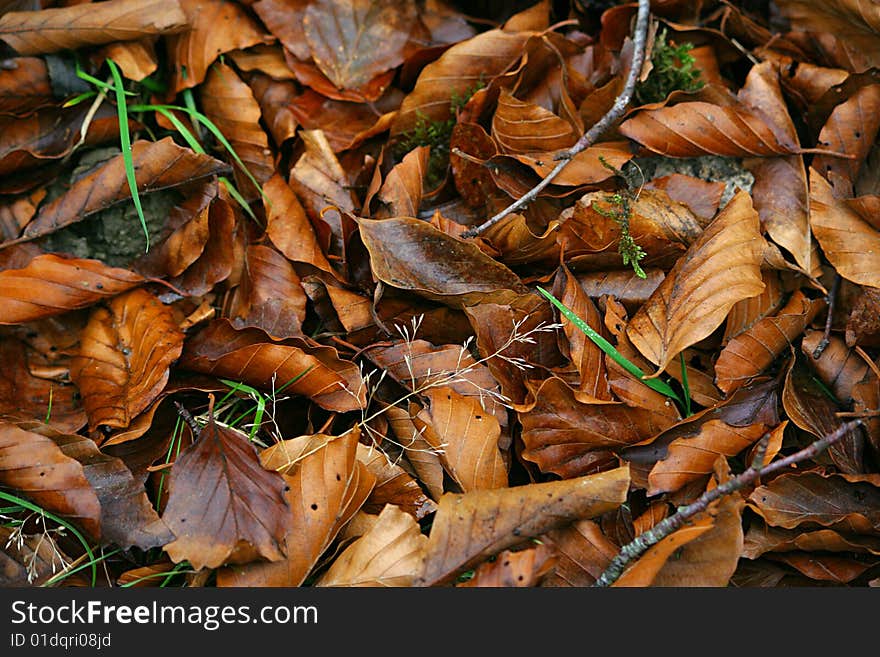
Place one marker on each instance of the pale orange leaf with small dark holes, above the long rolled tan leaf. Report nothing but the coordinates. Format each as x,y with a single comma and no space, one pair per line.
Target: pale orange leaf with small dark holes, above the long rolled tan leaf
466,436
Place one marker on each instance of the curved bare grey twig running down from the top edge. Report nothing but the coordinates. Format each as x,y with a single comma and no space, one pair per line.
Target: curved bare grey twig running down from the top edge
593,134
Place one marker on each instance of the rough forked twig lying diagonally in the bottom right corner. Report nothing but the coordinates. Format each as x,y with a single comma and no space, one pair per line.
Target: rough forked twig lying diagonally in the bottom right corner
640,545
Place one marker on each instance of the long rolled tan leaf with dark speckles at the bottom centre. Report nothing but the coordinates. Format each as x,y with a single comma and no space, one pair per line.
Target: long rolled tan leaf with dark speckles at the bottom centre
470,527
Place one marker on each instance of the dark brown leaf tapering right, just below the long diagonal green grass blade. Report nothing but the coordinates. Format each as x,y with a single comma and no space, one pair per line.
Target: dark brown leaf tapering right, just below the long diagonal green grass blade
559,432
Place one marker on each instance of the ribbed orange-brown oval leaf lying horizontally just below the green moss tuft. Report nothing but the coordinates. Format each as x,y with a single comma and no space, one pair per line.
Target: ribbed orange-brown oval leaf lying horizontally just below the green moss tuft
692,129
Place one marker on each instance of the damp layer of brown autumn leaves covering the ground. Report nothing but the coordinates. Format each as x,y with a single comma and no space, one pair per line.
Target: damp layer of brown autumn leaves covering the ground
256,333
